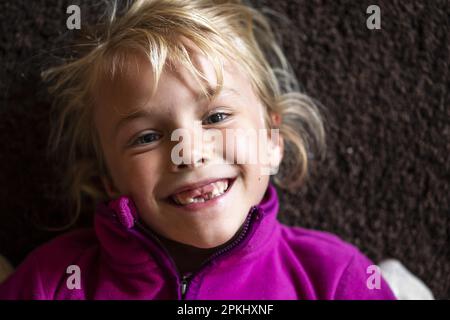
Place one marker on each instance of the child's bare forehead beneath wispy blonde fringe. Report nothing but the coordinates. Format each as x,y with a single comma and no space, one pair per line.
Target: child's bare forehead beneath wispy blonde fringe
132,86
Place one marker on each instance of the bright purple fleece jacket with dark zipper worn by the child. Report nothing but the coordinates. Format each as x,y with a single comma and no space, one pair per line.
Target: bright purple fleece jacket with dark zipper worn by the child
120,258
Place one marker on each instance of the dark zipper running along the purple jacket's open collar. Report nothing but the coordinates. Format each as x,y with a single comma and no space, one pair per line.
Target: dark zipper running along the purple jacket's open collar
185,279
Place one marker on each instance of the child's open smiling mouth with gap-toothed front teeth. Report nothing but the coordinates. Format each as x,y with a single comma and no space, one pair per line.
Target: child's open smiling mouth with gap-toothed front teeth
202,194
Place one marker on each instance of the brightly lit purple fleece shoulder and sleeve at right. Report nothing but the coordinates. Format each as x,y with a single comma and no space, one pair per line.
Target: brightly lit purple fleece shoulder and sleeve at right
335,268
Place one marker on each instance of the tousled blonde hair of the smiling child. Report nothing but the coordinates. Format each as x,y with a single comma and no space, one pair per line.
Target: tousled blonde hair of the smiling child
218,28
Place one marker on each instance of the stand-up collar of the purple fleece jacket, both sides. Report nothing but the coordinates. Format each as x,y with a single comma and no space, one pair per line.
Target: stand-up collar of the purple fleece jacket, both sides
116,225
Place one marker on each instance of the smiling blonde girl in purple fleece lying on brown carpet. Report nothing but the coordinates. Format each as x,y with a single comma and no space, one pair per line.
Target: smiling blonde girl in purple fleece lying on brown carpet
177,219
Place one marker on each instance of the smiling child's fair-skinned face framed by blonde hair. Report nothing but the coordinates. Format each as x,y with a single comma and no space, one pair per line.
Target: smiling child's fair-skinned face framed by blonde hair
145,170
